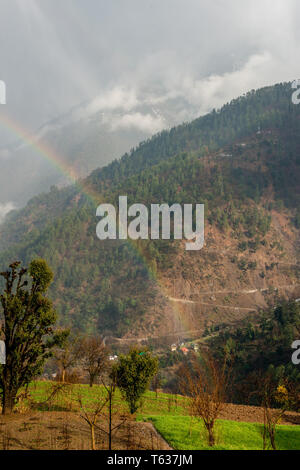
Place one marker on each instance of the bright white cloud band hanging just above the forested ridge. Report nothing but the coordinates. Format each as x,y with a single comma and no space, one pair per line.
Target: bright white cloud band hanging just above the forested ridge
199,96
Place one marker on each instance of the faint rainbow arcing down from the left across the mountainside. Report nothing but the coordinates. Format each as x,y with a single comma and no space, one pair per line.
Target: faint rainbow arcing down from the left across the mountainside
47,153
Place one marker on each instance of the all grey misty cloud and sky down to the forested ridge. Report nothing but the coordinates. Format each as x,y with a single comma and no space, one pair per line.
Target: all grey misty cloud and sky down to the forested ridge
128,68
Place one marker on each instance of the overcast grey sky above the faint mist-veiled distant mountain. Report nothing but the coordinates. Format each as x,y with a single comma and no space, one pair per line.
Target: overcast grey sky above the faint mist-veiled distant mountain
56,54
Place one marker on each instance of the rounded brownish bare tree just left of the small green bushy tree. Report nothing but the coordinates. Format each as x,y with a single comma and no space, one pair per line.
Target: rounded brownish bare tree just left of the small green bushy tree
93,357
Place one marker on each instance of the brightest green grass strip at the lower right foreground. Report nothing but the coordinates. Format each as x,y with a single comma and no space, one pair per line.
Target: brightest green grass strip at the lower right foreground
183,434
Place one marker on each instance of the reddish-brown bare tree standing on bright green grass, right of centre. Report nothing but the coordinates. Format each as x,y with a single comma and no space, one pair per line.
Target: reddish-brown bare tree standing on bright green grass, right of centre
206,385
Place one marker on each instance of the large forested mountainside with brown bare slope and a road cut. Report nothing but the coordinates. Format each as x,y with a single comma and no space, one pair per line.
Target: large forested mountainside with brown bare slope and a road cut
242,162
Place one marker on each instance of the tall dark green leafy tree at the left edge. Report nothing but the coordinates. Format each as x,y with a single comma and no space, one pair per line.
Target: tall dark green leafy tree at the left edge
28,330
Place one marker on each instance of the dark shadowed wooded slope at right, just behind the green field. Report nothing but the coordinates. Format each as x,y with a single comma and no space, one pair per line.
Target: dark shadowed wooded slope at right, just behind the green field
259,347
